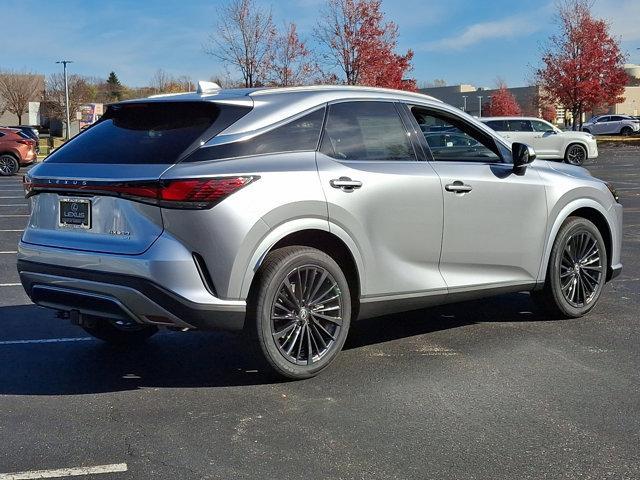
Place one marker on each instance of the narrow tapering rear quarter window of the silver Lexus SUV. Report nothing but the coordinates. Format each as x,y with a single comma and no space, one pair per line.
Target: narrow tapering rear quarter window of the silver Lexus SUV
298,135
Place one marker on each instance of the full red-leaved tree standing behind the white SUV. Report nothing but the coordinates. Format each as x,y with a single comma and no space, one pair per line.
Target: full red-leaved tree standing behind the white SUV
583,65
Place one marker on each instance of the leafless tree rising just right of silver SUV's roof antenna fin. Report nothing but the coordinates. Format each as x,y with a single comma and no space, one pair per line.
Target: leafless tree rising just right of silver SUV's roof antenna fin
243,40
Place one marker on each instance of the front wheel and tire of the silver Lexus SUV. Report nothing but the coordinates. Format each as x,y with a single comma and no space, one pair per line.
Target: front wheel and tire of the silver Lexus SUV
577,270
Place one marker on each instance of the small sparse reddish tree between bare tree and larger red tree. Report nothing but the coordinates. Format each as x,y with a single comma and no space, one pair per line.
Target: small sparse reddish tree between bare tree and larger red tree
291,63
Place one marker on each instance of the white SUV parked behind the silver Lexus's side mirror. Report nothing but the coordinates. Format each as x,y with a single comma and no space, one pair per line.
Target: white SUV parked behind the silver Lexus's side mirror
550,142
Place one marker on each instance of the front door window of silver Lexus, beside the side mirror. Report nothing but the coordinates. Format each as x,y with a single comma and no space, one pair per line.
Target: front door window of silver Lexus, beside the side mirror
450,138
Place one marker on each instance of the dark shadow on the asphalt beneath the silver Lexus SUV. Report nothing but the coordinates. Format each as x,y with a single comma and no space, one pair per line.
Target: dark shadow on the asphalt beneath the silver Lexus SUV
196,359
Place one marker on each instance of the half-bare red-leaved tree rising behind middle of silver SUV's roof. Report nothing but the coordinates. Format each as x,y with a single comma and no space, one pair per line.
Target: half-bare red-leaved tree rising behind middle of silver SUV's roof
361,46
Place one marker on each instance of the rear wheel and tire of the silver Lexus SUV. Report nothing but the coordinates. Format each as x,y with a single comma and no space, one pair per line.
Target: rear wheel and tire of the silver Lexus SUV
289,329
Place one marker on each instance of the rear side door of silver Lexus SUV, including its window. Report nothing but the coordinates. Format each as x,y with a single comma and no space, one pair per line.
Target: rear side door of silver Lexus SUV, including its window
381,194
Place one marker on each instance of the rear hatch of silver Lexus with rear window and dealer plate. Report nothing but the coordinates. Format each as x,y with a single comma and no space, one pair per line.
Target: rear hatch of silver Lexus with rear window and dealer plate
102,190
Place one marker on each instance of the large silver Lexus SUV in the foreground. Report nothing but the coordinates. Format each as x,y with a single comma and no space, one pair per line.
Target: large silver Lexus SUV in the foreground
289,213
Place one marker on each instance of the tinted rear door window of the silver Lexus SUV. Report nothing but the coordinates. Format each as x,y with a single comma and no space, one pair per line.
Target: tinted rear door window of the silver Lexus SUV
366,131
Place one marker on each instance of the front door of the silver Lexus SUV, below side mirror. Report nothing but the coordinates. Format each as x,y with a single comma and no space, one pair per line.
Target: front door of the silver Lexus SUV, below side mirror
494,220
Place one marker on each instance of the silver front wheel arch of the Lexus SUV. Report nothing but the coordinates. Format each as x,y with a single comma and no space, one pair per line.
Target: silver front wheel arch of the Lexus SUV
591,211
